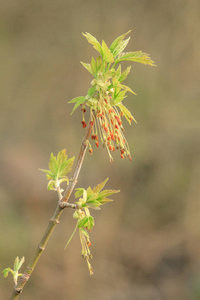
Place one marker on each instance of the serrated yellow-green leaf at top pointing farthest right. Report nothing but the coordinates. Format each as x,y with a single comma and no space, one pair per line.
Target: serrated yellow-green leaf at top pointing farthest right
137,56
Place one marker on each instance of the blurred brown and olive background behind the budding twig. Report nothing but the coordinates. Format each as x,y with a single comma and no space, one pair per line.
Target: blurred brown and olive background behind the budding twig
146,244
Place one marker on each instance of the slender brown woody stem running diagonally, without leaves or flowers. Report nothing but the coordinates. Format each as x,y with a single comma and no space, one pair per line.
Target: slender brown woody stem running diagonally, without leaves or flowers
62,203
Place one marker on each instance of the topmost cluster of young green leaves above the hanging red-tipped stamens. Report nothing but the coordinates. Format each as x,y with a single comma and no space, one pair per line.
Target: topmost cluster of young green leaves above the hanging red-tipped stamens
107,78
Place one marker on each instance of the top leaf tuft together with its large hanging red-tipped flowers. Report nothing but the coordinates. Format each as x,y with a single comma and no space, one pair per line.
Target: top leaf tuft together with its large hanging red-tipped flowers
105,96
